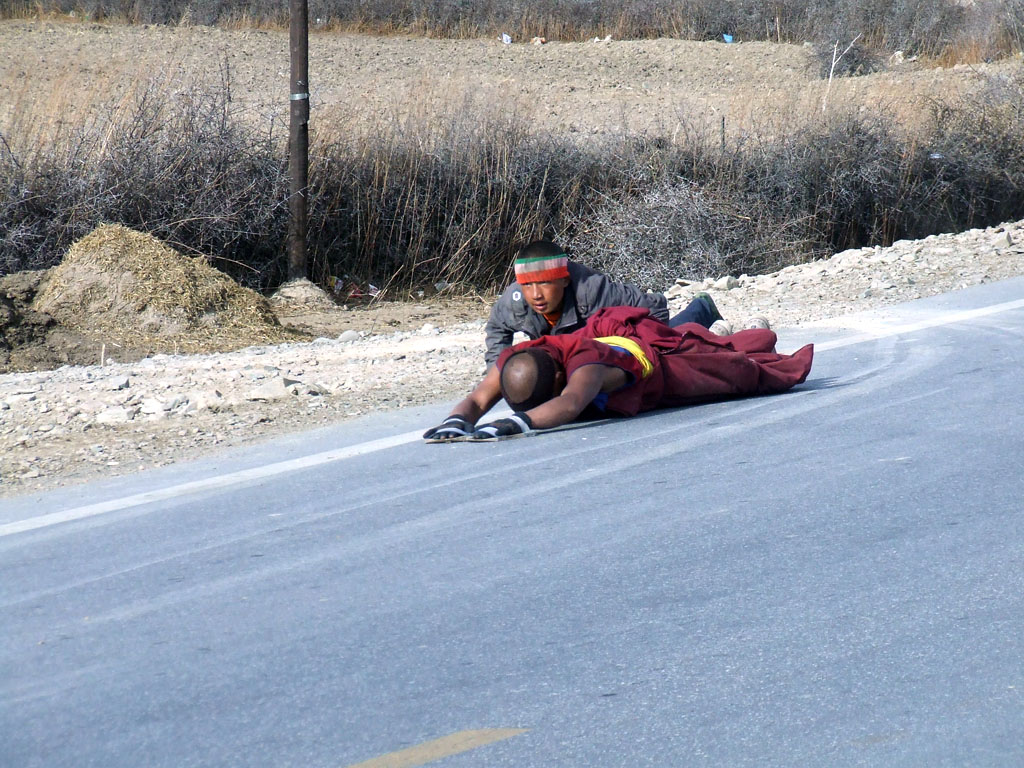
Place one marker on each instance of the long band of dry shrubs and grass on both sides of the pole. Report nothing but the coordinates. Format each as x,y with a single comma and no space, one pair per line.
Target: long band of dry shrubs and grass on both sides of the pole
407,203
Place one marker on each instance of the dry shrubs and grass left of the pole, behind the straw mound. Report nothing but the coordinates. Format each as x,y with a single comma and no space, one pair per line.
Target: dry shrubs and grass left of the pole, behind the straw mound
173,161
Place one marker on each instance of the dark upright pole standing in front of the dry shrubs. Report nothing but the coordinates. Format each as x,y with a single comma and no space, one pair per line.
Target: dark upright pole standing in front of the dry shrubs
298,139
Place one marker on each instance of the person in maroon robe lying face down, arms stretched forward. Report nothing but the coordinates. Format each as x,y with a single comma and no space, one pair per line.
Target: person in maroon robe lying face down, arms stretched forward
623,362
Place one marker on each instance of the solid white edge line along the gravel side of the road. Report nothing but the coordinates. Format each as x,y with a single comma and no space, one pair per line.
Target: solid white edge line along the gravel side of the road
278,468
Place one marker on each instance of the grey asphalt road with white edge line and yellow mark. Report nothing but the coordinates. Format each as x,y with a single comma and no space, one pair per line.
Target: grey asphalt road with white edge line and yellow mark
829,577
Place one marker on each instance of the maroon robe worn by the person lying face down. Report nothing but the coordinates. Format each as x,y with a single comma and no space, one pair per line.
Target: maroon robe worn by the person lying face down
691,364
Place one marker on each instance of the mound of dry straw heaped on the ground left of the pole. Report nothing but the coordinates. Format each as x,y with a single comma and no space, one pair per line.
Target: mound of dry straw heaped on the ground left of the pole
127,288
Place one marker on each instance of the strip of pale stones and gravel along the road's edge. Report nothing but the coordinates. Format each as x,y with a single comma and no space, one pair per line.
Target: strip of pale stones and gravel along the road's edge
82,422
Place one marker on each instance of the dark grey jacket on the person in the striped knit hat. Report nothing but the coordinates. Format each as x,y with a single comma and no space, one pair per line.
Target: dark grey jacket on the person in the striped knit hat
588,291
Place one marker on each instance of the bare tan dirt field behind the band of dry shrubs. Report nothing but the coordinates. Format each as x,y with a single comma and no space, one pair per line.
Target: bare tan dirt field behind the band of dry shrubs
53,68
